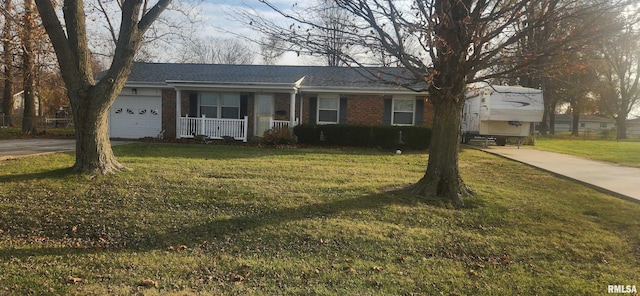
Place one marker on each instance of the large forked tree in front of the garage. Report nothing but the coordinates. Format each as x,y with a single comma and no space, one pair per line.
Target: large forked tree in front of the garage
91,100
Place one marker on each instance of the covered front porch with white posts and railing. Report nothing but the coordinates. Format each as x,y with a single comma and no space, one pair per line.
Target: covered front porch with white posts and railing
241,112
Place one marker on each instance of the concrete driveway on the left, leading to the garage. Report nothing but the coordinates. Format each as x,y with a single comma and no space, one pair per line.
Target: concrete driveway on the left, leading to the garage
10,149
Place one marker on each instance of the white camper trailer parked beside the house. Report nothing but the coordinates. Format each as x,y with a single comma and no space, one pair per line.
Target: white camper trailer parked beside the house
500,112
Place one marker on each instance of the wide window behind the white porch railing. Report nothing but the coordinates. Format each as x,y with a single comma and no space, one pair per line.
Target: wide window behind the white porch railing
215,105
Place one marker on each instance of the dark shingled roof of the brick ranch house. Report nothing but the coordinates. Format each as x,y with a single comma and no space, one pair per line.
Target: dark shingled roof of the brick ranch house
315,76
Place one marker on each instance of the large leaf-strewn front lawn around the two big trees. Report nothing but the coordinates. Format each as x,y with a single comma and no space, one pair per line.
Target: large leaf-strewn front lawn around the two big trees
220,220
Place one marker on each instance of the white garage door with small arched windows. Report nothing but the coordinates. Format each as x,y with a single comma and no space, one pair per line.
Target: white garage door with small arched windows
134,117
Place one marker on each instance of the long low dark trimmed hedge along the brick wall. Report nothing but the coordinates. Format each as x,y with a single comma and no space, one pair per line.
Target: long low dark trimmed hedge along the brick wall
389,137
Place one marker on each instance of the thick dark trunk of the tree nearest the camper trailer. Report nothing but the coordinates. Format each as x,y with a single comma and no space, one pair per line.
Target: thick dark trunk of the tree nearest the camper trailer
442,178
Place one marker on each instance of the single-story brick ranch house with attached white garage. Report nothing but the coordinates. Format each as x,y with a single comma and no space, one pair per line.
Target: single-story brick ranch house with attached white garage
242,101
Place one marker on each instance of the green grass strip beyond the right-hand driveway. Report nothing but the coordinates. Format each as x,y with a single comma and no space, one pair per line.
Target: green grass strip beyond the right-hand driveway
621,152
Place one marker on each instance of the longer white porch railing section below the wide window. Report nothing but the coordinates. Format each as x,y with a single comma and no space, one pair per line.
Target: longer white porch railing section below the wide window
213,128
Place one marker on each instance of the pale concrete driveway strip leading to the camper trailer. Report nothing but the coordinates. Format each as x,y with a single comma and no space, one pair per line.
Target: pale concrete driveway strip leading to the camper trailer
611,178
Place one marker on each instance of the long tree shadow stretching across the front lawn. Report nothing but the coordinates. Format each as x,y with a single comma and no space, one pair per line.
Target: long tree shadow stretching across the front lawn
250,219
